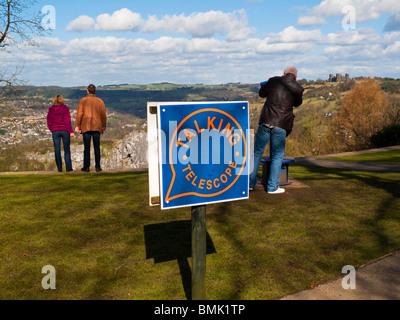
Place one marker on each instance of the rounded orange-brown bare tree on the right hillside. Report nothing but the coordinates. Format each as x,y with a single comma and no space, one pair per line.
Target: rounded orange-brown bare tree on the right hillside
361,115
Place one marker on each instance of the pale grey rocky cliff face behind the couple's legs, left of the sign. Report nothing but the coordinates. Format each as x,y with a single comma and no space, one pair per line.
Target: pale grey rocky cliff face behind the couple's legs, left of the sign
128,153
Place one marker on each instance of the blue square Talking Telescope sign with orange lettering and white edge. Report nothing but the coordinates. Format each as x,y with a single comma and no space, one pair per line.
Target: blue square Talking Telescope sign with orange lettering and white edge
198,153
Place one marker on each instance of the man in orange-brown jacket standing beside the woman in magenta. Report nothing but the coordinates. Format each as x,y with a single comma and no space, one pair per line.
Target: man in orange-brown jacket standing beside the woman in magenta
91,121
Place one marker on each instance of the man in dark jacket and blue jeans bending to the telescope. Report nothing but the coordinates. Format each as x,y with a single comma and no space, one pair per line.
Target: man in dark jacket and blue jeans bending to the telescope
276,123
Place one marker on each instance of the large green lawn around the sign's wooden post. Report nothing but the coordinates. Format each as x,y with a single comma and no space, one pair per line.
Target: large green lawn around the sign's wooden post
105,242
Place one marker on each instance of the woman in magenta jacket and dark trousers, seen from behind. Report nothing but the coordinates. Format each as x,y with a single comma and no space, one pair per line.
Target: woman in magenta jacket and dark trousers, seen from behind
59,123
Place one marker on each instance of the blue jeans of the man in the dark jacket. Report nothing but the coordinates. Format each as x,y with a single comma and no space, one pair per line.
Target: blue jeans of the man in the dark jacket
277,146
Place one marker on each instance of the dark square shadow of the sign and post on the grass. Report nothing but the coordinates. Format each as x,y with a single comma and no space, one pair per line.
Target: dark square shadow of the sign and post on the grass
172,241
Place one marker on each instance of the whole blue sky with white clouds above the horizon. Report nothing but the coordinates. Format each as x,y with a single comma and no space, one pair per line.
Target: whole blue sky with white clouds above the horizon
208,41
